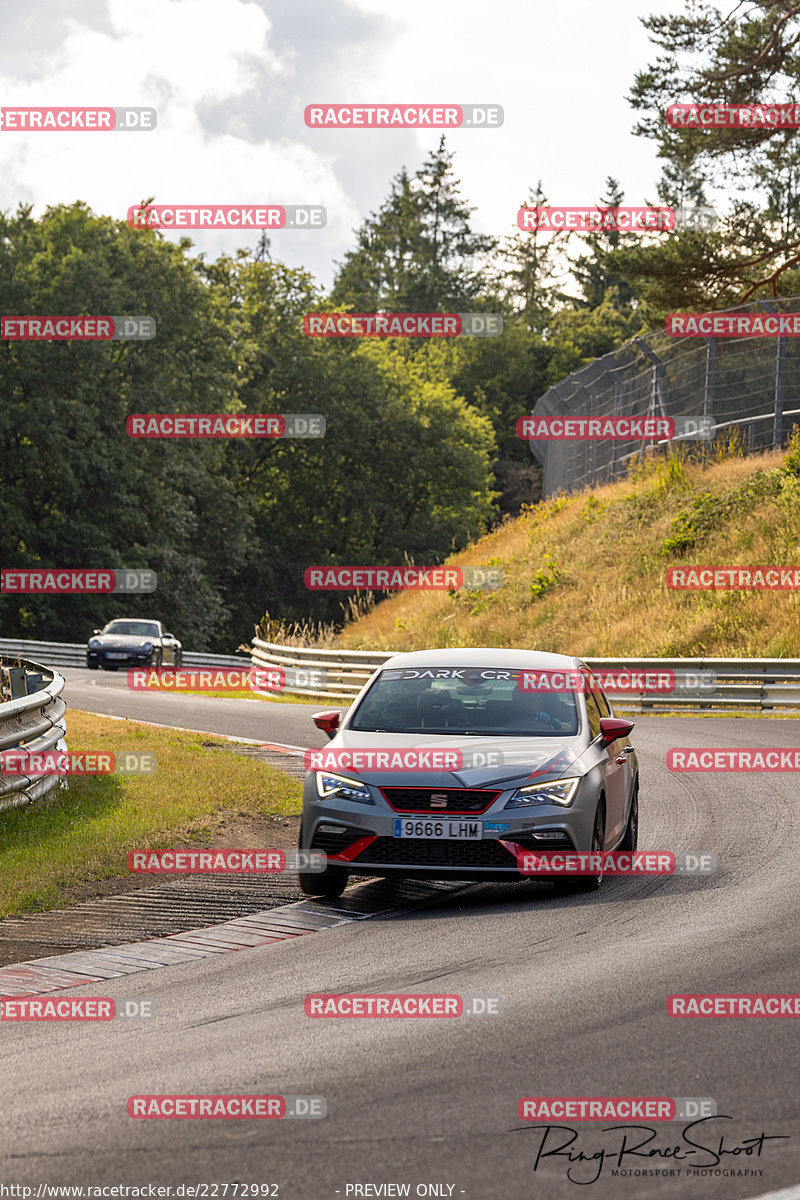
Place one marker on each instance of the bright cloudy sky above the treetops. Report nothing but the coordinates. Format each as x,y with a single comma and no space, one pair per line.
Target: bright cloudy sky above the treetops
231,81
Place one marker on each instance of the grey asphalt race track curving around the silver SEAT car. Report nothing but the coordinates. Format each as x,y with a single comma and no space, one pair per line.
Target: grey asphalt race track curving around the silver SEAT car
584,983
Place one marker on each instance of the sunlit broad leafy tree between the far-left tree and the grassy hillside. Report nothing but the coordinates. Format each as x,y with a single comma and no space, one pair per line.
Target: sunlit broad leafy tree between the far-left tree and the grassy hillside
405,467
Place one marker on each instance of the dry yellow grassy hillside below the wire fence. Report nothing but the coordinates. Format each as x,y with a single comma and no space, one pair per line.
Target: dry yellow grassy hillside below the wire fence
587,574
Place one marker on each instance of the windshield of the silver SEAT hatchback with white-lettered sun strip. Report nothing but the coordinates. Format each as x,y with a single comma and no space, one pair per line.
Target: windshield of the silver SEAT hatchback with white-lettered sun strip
464,701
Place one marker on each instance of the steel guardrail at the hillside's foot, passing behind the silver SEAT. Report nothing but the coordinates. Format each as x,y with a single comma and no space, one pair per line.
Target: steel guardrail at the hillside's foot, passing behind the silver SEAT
744,685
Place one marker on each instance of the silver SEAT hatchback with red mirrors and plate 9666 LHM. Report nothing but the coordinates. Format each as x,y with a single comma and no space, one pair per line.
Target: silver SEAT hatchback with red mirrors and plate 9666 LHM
458,764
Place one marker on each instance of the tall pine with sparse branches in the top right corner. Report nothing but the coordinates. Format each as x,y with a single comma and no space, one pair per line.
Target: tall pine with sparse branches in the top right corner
750,56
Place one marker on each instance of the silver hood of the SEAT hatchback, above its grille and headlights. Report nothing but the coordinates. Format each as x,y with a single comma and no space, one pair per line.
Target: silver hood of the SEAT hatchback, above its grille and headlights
515,759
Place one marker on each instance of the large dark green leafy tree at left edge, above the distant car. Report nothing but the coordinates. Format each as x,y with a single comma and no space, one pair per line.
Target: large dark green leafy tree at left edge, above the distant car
77,491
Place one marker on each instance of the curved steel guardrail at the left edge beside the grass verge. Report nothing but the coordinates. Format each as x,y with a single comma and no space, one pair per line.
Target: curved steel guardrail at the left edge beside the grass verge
35,722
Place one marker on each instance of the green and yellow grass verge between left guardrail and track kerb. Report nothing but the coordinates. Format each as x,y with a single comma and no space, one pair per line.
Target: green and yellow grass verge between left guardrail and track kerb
86,833
